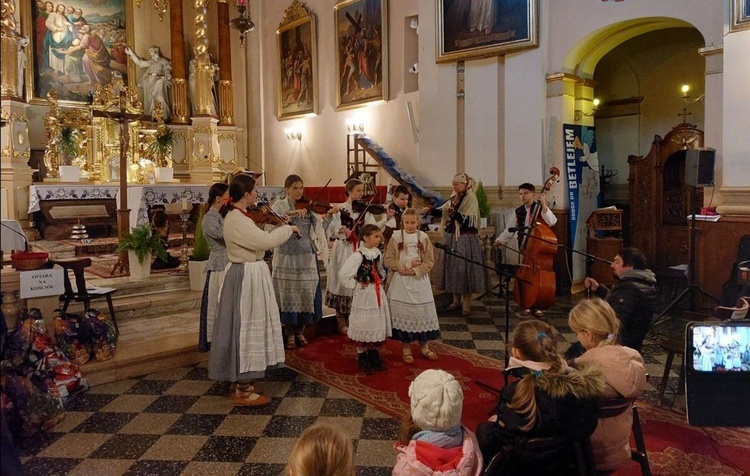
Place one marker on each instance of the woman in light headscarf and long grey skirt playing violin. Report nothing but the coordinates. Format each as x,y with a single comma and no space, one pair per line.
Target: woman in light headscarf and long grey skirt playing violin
460,216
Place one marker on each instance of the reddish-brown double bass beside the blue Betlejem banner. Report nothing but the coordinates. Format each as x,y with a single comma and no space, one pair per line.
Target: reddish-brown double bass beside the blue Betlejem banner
535,279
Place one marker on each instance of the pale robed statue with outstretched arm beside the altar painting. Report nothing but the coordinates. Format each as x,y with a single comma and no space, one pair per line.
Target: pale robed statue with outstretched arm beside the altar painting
156,81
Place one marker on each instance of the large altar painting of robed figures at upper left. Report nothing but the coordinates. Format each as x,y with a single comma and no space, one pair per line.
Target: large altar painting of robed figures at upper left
74,51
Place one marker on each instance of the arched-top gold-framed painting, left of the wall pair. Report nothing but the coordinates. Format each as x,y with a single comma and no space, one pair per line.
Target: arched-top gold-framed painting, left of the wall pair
297,59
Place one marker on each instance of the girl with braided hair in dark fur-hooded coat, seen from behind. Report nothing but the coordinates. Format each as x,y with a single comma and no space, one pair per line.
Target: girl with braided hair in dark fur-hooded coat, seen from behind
546,399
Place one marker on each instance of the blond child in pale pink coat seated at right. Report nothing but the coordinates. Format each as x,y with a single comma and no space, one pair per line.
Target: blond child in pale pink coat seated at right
596,326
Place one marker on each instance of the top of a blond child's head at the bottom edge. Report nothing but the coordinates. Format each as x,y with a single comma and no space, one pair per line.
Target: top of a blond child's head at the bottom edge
322,450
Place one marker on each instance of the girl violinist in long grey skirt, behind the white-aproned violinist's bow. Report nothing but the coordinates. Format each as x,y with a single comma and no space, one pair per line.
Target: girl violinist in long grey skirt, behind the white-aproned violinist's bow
296,280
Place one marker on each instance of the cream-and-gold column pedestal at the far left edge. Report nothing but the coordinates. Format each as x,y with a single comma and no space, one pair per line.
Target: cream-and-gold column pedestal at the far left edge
15,154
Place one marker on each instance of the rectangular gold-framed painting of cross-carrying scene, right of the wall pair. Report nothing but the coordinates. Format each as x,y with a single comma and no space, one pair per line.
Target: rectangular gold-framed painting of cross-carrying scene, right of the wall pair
361,52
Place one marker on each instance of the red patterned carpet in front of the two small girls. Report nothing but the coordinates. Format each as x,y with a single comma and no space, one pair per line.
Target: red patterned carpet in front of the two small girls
333,361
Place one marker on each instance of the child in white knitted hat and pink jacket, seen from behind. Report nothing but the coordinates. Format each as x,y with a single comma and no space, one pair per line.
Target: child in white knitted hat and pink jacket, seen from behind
432,439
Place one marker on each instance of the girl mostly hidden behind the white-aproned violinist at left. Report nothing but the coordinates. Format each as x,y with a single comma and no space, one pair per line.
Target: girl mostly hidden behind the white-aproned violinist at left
213,230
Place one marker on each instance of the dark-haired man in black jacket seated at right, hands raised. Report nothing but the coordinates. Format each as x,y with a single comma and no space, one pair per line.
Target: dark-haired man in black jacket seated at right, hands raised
633,297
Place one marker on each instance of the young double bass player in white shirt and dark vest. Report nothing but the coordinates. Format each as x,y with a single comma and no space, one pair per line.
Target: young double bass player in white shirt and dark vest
523,222
